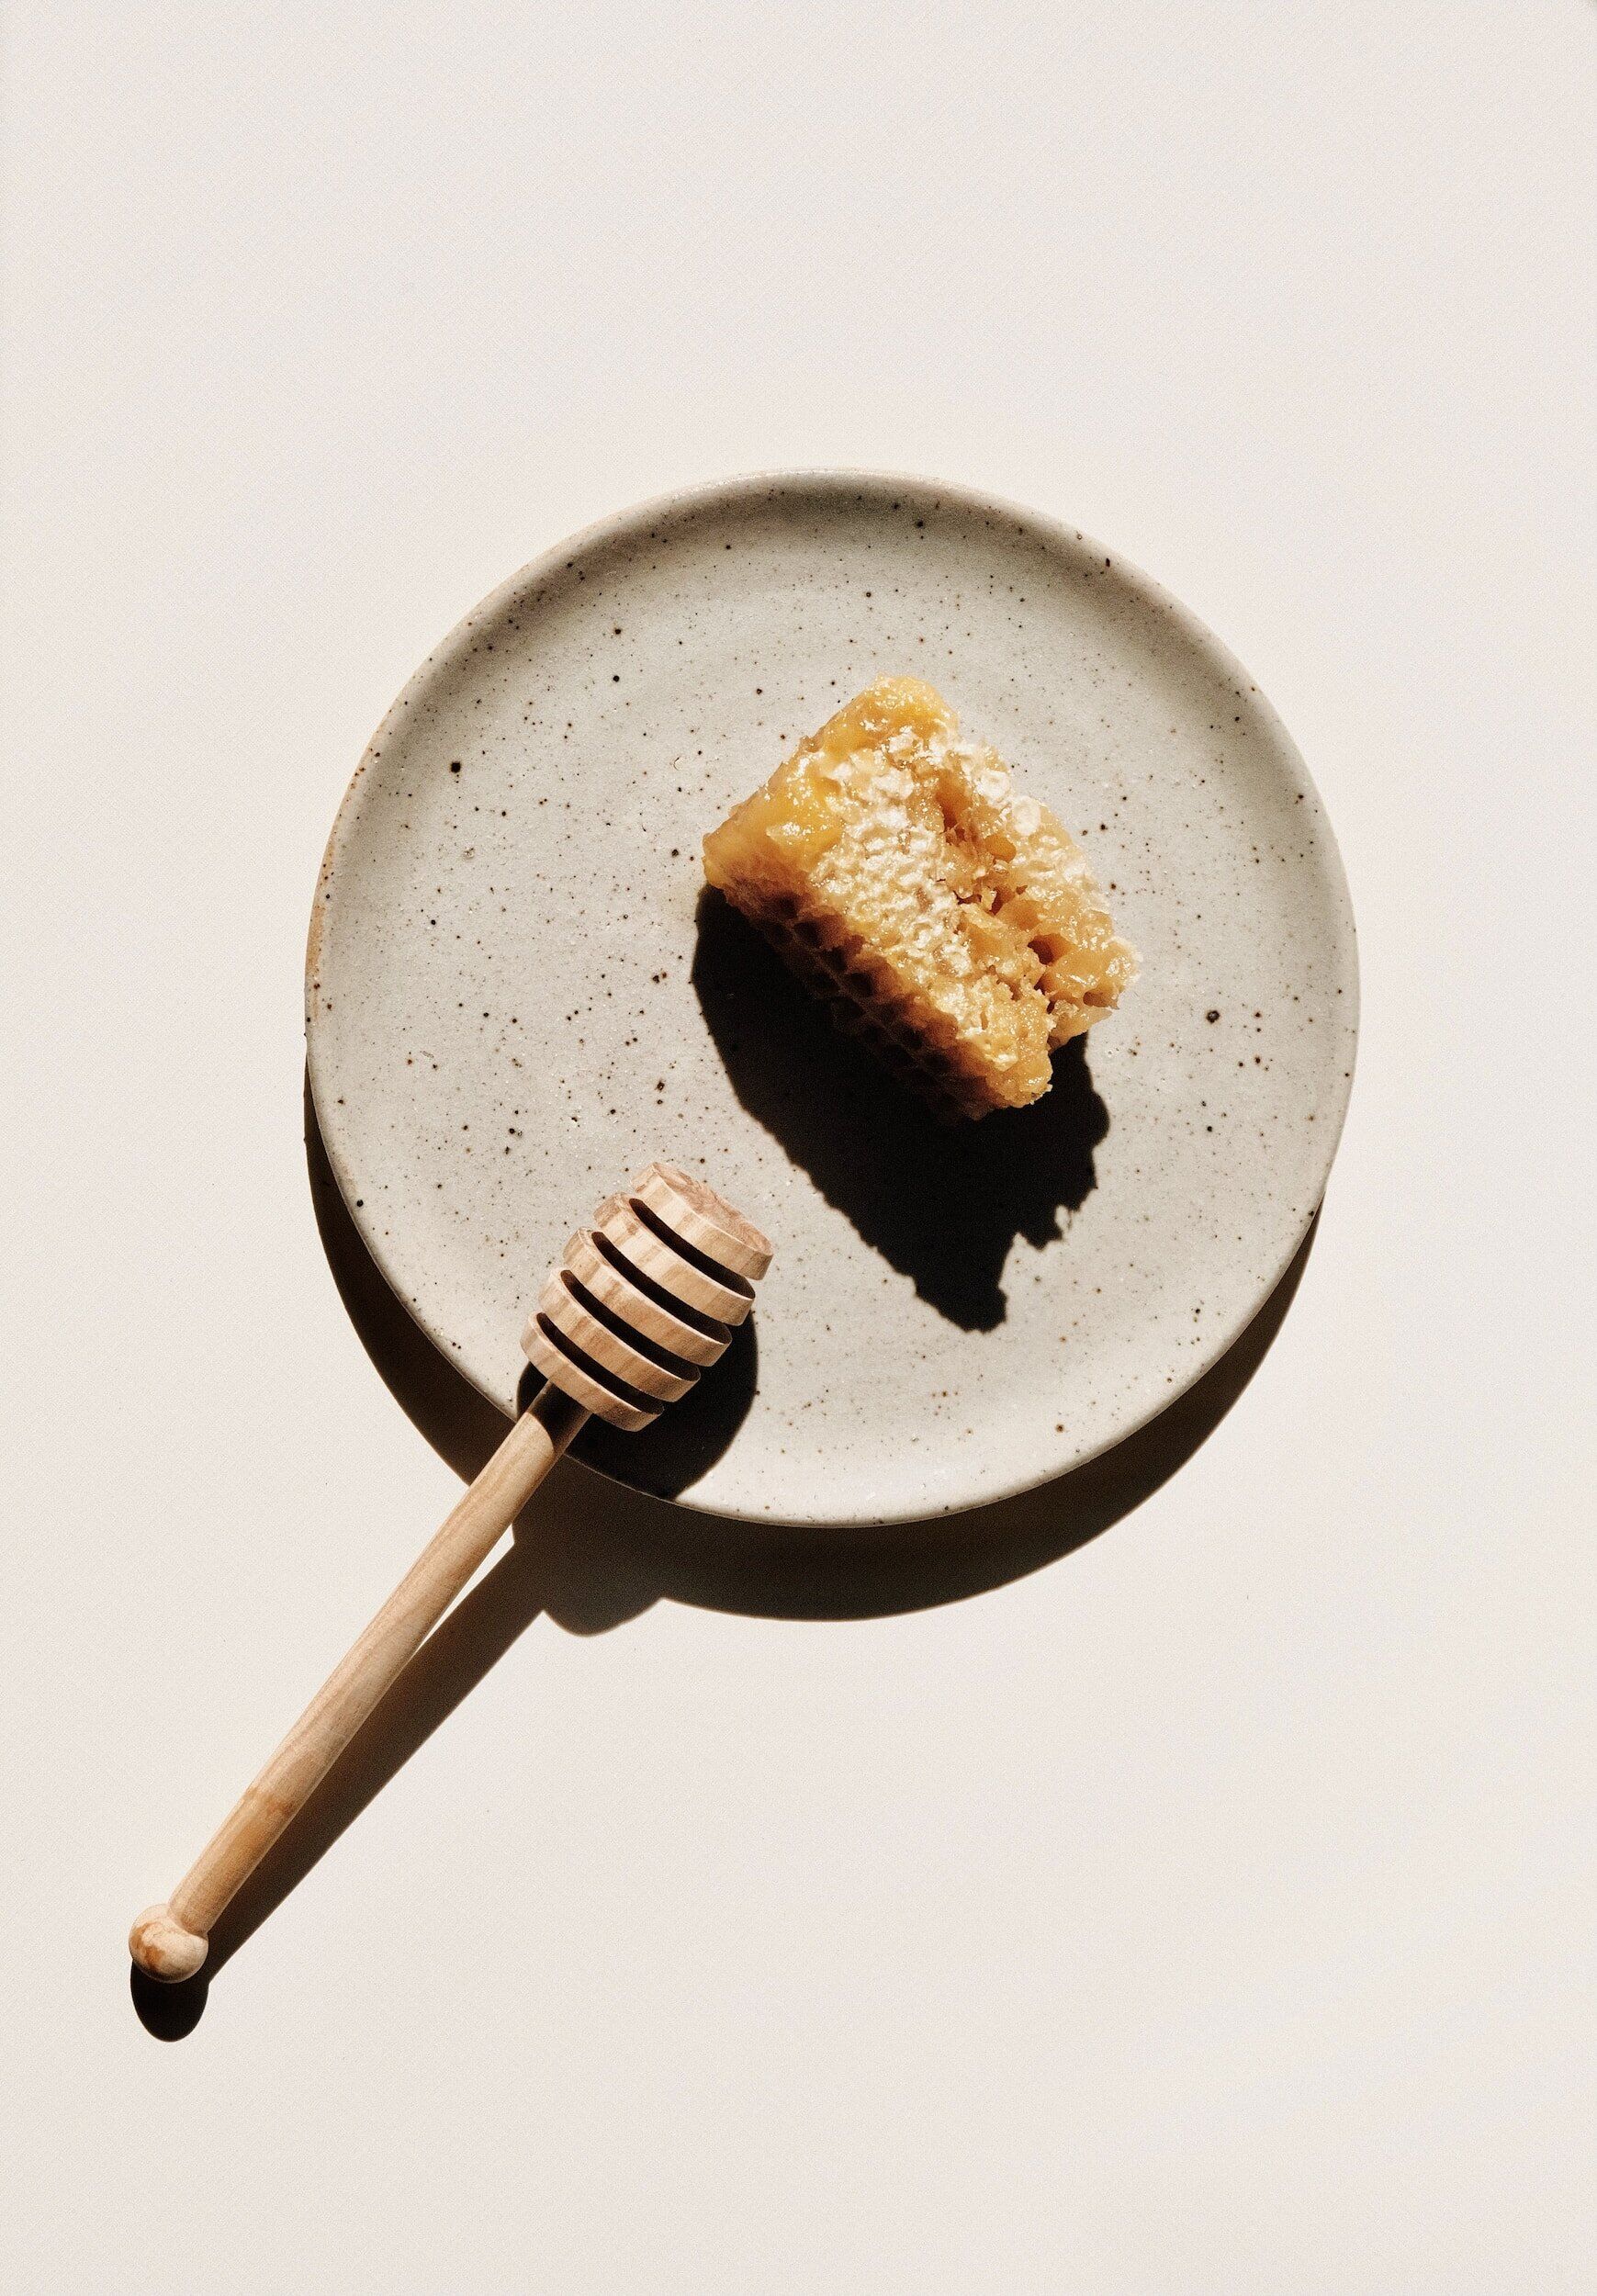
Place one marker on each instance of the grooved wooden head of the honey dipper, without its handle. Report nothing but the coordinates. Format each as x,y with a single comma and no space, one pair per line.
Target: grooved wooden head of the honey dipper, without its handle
646,1298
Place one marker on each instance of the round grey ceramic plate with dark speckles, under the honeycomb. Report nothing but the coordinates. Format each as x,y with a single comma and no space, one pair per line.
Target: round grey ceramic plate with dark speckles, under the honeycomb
517,993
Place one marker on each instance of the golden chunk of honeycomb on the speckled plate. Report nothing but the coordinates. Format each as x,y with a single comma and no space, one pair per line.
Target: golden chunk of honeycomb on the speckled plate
956,924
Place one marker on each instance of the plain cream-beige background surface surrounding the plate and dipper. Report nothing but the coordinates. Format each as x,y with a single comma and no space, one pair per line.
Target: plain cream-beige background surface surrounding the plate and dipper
1208,1911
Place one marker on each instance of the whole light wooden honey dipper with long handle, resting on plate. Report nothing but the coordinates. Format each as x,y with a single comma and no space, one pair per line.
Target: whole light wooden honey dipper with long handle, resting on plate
639,1305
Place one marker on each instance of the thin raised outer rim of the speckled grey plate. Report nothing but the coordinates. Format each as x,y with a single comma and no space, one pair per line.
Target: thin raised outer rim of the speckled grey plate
722,495
